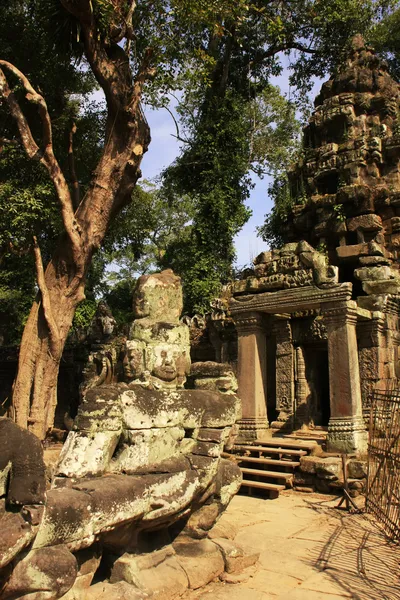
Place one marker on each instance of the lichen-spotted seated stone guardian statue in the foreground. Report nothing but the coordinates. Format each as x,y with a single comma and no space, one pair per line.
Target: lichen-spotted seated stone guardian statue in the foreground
142,467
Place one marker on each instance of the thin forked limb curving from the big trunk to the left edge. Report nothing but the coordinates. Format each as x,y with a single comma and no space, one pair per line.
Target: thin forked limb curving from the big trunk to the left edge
46,155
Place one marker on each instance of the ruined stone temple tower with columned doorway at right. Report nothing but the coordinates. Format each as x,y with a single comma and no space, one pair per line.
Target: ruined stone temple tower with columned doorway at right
318,319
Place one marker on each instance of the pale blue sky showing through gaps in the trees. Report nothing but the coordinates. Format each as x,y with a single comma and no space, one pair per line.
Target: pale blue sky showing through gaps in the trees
164,148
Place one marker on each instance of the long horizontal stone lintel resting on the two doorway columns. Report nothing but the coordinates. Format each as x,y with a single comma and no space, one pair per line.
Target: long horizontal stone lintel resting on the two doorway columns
289,301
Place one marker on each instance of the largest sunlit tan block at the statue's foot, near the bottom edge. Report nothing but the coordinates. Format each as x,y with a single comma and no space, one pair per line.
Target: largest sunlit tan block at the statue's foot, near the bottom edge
157,574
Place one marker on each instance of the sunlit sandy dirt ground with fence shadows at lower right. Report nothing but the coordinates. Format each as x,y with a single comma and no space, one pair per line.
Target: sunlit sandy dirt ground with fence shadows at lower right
309,550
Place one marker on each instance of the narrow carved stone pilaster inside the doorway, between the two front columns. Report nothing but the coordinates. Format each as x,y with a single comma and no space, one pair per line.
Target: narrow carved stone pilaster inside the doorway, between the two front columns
284,371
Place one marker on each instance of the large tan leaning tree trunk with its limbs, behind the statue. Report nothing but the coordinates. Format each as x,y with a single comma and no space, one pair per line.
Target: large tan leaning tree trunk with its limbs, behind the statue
61,286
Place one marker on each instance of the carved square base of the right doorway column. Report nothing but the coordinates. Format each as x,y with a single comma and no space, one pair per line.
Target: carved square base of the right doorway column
347,435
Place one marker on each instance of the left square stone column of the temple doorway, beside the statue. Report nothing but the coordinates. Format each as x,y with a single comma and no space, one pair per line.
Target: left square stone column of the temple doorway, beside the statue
252,366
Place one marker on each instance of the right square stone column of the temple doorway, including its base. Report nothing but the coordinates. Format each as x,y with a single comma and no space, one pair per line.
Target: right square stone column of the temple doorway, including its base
346,429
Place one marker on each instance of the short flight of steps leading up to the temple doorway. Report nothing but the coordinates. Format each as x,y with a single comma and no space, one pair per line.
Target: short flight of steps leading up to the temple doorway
268,466
